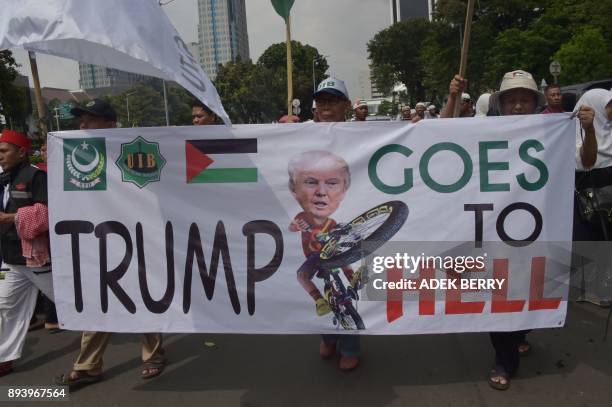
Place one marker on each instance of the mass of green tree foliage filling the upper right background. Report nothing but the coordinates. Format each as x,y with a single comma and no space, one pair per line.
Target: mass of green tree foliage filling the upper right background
506,35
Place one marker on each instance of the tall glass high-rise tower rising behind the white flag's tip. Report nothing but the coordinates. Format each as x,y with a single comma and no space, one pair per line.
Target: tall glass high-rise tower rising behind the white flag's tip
222,33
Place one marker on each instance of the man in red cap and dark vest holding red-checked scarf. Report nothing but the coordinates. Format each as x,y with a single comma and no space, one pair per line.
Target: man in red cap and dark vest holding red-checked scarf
23,219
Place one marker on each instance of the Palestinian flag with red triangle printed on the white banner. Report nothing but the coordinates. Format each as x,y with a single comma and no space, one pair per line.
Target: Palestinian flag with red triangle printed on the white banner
220,161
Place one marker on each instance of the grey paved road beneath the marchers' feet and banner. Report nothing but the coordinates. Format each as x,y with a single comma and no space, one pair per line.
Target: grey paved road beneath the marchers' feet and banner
568,367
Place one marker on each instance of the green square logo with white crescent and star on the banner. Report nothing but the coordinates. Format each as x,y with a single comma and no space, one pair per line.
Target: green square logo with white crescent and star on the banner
85,164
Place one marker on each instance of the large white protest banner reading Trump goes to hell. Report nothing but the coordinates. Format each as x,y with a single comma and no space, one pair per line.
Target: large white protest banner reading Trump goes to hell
217,229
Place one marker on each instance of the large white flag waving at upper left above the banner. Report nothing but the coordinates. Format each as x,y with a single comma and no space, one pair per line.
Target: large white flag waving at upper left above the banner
134,36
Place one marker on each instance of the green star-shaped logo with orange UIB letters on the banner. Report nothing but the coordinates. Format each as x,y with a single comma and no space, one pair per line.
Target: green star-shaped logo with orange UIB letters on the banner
140,162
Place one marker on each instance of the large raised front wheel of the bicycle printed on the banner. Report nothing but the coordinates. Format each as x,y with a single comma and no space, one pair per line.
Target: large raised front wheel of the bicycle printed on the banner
375,226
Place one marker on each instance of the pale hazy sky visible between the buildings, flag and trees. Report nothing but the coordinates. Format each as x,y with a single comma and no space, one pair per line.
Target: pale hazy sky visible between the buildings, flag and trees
339,29
